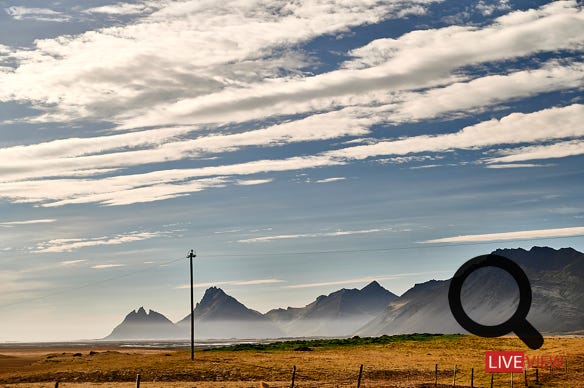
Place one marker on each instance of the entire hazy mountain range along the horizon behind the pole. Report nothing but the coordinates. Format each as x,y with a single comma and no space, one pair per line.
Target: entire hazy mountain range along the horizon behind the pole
489,297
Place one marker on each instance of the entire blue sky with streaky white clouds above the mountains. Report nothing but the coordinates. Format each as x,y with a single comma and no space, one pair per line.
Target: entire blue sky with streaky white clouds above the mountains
298,147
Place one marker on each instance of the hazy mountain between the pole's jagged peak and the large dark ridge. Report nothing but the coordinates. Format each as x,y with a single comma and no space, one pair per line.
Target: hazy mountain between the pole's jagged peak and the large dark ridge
337,314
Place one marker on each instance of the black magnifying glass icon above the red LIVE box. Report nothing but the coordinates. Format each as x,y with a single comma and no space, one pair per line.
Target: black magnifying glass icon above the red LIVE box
517,323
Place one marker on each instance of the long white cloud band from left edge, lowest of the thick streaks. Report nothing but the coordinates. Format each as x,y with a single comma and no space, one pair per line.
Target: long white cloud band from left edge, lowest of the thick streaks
148,187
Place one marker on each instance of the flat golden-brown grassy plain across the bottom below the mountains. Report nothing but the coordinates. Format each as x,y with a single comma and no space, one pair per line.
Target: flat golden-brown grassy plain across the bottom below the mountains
405,361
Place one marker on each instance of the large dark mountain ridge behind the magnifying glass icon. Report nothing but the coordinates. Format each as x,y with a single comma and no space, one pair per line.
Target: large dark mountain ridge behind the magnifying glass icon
490,296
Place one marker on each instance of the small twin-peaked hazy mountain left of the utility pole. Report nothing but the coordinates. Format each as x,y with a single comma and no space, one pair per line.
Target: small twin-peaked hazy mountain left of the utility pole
140,325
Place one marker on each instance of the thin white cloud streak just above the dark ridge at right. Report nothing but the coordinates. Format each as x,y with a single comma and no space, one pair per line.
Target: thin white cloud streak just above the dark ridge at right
522,235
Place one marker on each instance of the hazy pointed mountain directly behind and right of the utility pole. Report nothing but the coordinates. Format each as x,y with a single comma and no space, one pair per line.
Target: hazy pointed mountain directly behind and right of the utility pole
219,315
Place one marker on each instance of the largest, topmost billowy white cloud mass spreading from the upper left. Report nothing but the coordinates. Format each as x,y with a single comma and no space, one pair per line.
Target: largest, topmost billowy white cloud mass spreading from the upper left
229,35
